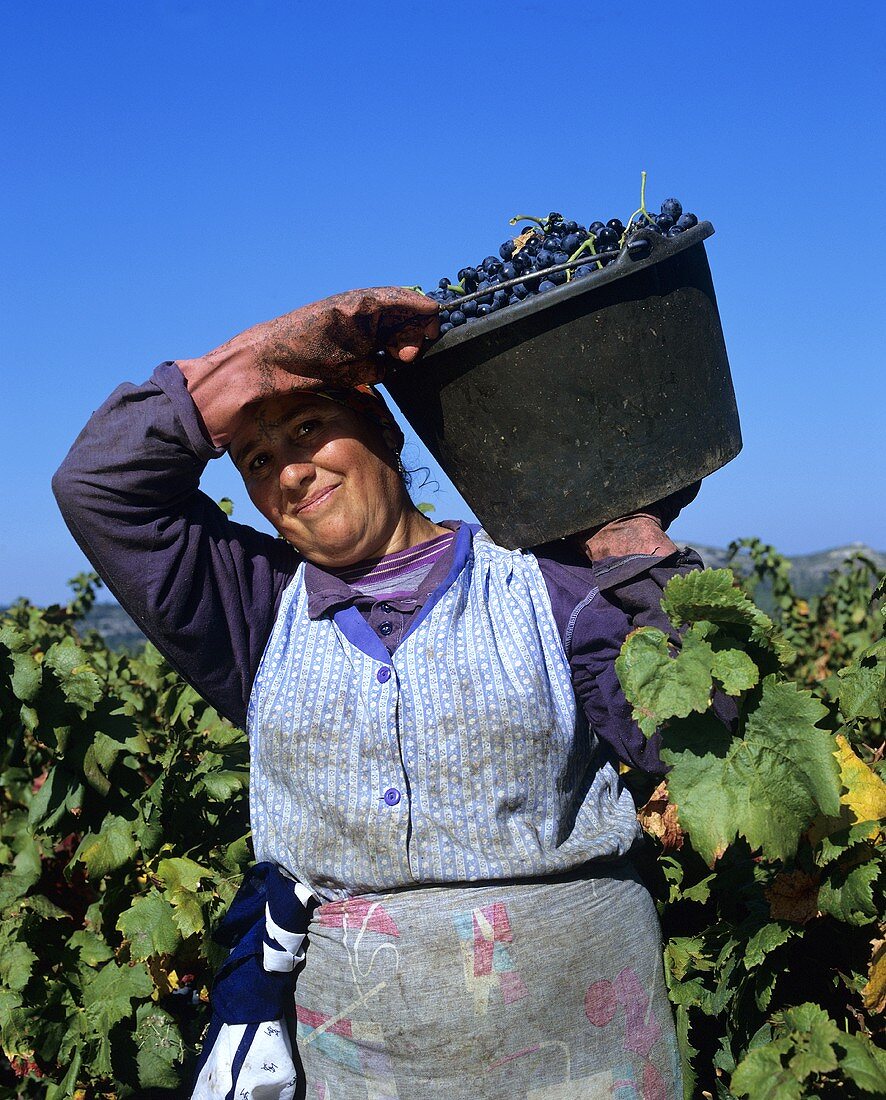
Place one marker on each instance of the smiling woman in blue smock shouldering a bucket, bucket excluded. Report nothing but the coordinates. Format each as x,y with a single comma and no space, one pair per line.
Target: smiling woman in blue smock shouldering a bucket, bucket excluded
434,721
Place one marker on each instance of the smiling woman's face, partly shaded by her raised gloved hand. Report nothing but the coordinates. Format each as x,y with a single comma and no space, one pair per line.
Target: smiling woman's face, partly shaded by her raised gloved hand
325,478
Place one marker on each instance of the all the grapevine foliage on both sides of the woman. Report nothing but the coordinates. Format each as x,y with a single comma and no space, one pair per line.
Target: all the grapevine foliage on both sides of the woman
124,837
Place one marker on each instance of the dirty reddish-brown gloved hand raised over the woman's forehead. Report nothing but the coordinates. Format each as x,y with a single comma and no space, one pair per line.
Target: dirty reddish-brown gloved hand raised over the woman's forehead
333,343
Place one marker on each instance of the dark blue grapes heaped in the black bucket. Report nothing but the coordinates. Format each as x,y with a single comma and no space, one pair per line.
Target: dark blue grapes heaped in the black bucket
523,262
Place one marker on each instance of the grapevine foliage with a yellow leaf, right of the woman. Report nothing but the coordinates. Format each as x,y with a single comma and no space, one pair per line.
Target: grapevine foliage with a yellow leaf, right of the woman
771,853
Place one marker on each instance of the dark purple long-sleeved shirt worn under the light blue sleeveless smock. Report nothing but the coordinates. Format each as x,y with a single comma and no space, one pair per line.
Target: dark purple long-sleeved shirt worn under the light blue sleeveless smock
205,589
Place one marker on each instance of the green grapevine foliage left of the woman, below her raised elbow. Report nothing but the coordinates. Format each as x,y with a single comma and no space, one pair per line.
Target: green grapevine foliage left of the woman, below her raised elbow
124,838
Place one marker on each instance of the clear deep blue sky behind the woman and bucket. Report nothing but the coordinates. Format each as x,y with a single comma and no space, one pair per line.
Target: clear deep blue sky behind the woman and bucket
179,171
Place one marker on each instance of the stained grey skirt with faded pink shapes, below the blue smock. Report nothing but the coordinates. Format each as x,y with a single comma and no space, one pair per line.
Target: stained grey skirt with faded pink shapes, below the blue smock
550,991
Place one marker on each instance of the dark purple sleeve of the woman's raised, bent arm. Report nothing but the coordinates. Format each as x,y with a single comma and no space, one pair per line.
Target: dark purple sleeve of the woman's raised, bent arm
202,588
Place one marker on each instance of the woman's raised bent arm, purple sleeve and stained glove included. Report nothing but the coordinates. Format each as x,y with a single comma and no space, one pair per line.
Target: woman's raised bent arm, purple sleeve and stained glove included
202,588
